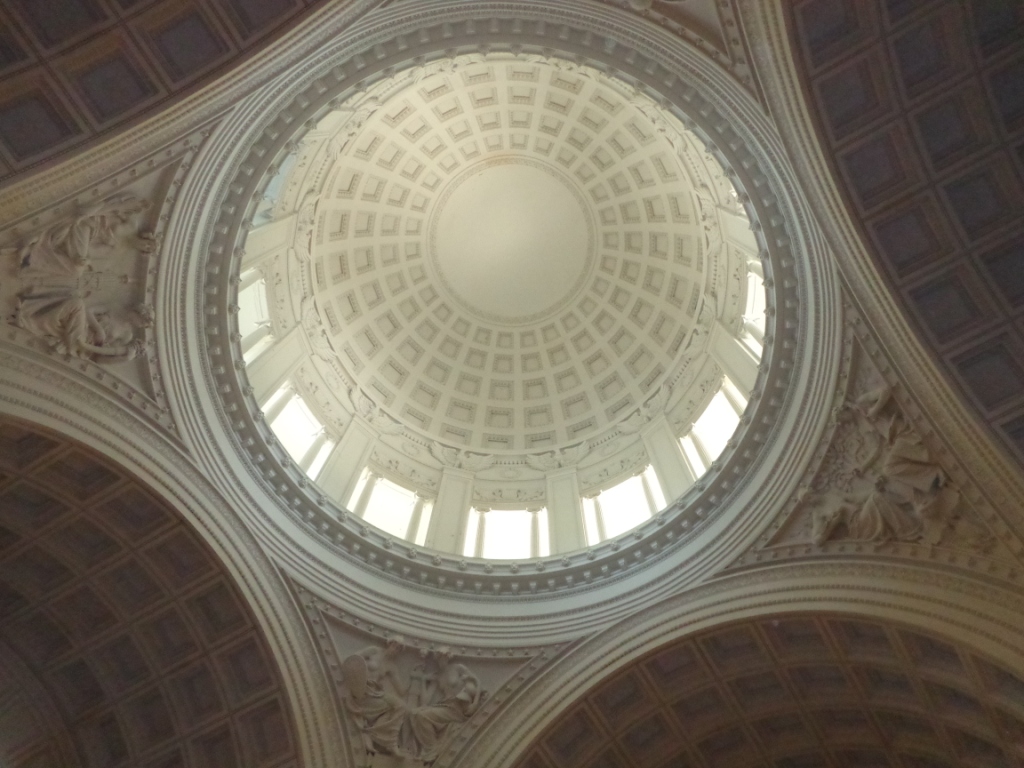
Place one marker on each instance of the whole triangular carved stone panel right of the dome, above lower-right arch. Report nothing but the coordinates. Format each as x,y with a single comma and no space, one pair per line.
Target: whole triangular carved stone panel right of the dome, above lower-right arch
880,483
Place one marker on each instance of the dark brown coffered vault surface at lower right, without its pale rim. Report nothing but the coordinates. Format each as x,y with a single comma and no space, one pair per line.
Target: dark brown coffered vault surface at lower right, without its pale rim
796,692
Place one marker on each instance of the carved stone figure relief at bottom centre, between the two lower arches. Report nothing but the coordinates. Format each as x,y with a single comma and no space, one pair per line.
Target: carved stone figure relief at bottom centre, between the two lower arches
411,719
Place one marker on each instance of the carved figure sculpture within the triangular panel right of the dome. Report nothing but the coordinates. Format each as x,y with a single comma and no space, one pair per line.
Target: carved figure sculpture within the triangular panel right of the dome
897,492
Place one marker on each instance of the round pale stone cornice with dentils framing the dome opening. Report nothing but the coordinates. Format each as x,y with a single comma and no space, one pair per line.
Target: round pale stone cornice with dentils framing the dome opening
710,105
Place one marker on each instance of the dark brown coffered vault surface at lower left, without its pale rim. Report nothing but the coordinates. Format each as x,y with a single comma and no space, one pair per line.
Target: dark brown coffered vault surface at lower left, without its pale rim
127,622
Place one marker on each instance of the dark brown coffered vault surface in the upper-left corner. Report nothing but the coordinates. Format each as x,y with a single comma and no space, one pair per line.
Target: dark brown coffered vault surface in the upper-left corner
77,70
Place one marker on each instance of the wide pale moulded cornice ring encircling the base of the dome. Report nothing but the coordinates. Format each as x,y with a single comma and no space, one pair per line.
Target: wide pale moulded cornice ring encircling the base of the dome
737,498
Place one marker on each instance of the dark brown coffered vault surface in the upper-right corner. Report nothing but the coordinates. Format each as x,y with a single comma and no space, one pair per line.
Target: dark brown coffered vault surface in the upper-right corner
921,106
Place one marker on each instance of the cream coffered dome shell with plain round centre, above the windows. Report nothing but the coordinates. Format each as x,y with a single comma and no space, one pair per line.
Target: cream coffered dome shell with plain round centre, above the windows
507,253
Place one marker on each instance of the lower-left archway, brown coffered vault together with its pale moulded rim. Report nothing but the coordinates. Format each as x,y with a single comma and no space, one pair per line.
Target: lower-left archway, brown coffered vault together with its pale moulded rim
123,609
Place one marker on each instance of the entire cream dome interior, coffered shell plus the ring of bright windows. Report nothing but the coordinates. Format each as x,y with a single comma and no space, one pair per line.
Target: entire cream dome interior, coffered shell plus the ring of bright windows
504,266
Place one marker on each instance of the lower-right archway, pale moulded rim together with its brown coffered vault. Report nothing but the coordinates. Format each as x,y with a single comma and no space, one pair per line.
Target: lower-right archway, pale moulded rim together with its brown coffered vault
776,609
